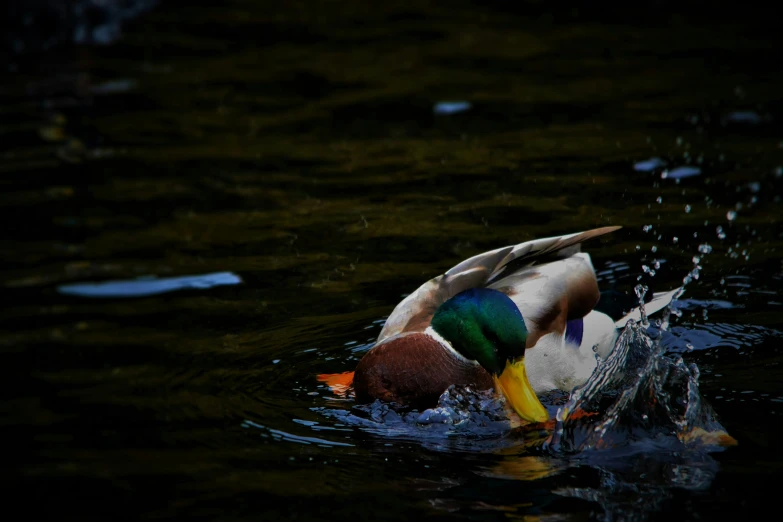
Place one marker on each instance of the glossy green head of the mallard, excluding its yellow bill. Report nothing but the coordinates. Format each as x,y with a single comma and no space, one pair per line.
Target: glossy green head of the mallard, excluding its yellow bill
484,325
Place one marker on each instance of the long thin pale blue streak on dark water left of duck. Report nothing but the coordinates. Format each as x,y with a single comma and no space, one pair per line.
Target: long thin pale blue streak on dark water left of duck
145,286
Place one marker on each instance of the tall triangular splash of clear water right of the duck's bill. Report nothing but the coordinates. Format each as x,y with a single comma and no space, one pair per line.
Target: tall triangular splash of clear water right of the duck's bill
638,393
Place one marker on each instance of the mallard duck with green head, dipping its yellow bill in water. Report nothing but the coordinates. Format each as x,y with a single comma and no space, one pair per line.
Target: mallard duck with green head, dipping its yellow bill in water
523,320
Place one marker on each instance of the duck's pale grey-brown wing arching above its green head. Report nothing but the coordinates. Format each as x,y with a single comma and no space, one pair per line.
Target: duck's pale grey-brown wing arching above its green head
500,268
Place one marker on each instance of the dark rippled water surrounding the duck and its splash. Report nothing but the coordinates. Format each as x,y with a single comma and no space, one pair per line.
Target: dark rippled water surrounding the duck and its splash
297,146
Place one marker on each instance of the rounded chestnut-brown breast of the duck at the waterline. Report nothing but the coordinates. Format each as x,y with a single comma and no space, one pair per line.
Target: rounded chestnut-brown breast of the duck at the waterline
413,370
